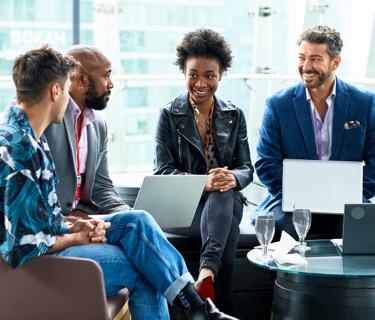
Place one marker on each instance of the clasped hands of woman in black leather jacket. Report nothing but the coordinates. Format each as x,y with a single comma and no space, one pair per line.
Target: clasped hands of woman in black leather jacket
220,179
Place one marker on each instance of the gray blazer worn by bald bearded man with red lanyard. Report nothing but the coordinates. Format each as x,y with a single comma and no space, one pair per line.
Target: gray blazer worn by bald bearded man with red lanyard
98,194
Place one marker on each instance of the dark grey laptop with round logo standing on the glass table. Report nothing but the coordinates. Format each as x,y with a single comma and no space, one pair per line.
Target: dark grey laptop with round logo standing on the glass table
358,229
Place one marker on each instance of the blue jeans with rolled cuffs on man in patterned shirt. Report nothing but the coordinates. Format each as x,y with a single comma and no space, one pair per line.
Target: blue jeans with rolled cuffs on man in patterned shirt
139,257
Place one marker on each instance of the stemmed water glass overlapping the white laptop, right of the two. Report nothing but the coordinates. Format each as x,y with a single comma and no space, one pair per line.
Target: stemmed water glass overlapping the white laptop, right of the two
302,223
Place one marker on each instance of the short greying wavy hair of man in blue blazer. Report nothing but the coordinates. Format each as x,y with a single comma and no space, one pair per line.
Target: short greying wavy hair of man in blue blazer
323,35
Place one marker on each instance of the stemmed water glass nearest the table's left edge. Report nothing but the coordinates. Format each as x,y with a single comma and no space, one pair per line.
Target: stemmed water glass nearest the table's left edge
264,230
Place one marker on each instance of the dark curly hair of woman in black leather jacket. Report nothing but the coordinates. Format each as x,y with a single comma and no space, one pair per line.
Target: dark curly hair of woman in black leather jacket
204,43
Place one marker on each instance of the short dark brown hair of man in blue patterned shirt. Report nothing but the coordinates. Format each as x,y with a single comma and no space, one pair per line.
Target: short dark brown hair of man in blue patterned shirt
35,70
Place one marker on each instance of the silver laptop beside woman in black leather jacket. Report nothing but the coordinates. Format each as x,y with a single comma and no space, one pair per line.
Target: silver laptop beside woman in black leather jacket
171,199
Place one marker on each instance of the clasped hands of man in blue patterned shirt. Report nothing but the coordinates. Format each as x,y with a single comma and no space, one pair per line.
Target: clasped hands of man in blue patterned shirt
87,231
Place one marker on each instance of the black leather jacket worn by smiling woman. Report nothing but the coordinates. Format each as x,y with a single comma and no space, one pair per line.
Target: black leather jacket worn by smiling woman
179,149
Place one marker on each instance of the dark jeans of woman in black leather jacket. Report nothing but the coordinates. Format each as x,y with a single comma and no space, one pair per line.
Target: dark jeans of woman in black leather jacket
216,224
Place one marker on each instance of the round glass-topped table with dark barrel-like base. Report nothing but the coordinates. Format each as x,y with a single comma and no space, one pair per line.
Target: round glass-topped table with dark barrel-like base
331,286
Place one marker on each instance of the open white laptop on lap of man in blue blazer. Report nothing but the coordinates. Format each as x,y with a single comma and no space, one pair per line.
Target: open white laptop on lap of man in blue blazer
325,185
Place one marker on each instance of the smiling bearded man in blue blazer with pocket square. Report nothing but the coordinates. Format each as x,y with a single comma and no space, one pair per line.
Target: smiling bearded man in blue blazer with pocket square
321,118
